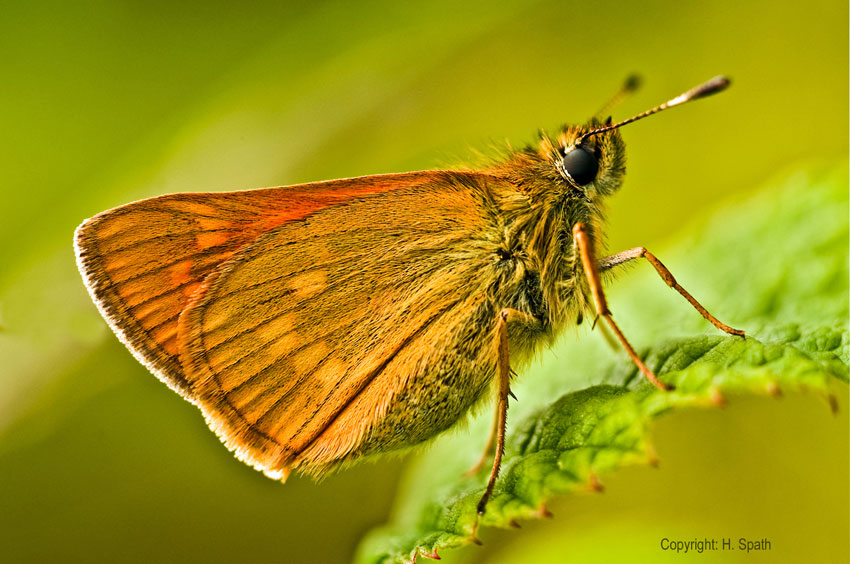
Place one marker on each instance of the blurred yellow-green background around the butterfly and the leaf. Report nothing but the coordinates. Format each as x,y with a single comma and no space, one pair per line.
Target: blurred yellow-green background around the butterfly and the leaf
106,102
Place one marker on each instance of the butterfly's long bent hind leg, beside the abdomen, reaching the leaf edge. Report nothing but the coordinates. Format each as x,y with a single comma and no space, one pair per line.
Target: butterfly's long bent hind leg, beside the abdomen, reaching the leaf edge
504,390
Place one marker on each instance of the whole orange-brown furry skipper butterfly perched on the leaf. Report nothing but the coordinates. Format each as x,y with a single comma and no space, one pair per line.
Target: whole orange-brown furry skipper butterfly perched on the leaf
320,323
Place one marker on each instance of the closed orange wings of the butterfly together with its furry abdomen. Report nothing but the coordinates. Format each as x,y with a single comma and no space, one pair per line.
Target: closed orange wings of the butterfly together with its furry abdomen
310,324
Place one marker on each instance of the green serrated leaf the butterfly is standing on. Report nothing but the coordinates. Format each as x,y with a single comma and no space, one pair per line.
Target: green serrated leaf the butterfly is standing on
775,266
